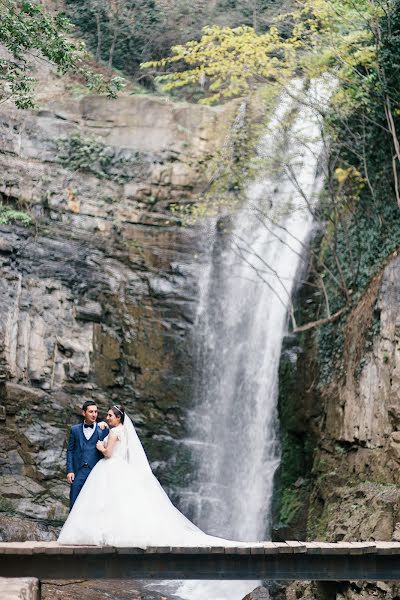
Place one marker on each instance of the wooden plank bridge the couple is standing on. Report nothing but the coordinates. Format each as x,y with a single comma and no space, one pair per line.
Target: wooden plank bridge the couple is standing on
290,561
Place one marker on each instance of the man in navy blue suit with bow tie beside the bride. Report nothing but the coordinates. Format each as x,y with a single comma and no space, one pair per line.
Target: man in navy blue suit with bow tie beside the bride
82,454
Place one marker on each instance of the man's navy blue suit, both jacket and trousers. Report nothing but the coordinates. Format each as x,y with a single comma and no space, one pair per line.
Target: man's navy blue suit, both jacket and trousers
82,456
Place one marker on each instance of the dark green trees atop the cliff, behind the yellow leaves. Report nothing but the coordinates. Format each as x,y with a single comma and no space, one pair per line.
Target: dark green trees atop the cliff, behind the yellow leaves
125,33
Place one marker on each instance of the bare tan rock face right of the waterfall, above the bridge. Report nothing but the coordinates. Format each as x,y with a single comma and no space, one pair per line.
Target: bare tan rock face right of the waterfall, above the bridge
358,451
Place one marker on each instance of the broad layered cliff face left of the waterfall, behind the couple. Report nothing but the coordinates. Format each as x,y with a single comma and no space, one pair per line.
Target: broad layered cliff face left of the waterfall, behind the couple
97,296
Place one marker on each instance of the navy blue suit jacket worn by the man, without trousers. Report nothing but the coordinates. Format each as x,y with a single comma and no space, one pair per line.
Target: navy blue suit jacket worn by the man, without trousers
81,451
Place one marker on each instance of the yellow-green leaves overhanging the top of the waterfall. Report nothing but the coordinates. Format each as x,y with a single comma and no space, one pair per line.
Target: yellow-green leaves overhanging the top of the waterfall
324,35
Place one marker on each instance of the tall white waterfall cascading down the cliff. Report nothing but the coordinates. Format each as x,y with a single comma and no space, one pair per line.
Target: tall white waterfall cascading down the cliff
245,299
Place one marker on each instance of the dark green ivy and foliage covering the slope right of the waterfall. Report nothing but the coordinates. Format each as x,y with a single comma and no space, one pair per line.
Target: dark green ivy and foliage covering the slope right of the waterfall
369,231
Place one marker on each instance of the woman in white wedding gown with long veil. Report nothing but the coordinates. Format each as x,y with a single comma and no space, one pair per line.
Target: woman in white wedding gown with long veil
124,485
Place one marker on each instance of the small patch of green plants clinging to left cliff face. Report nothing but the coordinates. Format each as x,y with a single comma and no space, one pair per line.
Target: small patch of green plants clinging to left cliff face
77,152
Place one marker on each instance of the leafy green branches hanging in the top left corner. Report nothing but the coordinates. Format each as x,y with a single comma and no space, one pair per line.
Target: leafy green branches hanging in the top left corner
27,31
